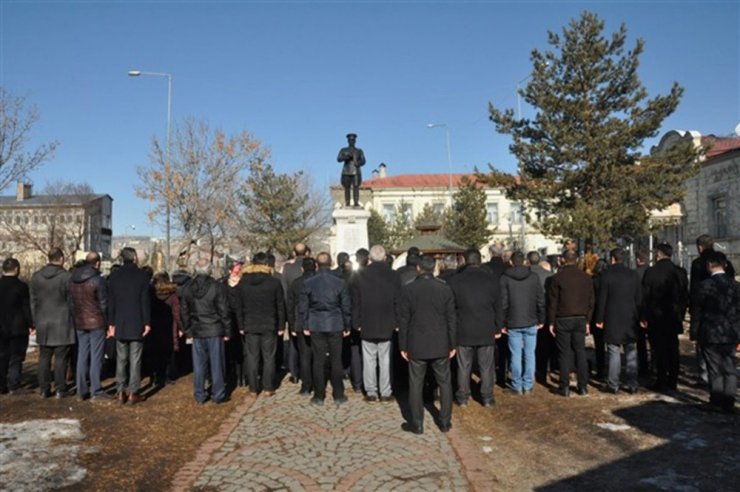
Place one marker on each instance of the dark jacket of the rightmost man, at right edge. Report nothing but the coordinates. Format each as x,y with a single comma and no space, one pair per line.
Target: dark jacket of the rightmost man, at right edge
716,311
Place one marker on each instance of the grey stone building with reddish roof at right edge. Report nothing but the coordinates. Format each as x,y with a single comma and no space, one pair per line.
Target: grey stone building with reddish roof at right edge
712,202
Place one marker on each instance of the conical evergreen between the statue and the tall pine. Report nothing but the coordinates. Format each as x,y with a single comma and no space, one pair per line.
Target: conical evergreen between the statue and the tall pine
466,223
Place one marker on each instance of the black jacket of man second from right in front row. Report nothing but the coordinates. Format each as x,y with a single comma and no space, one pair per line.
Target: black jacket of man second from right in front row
665,296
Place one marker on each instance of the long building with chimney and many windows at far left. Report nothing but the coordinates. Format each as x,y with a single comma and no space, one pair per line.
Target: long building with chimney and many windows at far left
31,224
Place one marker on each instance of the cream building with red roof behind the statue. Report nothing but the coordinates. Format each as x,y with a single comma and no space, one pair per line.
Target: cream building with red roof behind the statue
384,193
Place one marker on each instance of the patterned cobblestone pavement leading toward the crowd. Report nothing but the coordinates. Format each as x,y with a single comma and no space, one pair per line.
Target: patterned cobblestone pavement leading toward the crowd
285,443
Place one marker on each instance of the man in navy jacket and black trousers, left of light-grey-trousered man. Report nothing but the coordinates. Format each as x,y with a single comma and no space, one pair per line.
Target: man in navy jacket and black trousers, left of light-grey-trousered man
325,314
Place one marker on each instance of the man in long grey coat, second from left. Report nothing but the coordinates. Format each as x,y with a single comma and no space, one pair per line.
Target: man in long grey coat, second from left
55,332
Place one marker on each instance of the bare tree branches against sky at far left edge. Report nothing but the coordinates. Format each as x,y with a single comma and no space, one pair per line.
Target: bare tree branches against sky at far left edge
16,122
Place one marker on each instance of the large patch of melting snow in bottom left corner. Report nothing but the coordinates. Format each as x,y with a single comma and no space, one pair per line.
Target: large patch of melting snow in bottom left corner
33,458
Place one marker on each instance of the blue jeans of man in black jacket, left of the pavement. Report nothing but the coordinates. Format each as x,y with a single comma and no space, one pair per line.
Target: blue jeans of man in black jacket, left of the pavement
209,352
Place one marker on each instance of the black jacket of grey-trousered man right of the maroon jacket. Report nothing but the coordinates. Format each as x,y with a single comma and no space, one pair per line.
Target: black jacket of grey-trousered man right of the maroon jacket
129,302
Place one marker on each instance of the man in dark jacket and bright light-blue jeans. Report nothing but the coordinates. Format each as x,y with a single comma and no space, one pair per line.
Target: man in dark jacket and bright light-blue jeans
523,314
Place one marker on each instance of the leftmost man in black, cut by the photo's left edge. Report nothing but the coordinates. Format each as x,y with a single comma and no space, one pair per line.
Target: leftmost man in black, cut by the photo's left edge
15,325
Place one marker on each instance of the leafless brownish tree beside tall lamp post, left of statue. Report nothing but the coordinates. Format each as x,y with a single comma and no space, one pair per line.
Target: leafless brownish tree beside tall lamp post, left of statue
200,183
